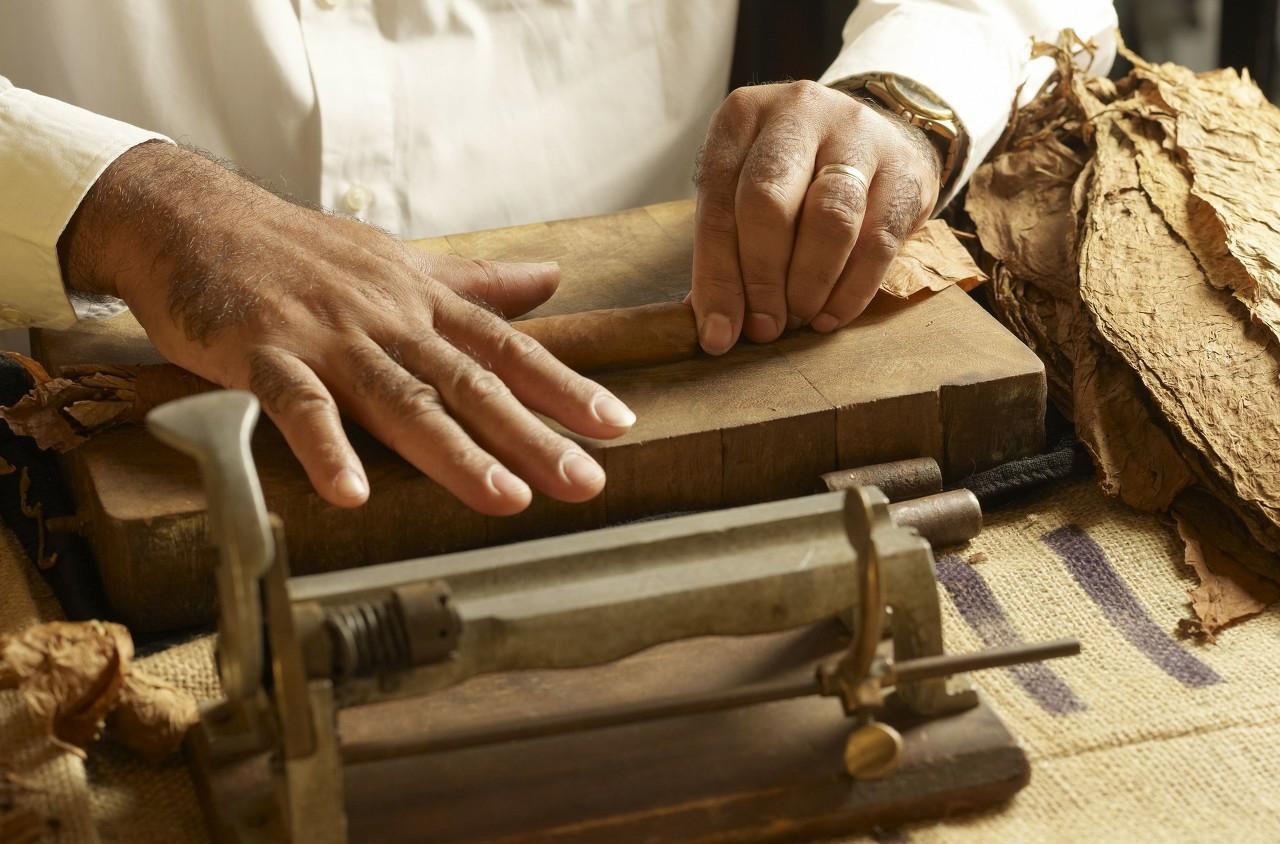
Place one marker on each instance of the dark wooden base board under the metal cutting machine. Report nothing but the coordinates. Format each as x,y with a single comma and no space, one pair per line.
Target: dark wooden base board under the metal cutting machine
769,773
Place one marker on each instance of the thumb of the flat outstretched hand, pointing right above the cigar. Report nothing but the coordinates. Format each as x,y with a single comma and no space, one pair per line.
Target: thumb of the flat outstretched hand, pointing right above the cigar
509,289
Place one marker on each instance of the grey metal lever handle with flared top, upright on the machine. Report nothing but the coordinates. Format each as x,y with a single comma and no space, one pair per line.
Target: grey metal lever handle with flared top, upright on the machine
216,428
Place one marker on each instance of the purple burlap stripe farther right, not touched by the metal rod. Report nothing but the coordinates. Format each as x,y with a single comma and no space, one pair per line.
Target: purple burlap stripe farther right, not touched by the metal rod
1089,564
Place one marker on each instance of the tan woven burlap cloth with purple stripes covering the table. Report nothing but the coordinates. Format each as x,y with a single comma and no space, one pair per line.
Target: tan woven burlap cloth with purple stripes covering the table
1142,738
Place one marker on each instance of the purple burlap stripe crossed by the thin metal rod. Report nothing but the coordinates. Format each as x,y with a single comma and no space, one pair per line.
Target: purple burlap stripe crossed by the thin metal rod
982,612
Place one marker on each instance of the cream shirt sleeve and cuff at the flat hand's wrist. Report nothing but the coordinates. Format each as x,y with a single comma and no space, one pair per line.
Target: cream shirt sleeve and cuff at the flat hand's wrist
51,156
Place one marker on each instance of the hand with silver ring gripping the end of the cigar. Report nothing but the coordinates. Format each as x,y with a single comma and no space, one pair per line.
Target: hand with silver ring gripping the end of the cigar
780,243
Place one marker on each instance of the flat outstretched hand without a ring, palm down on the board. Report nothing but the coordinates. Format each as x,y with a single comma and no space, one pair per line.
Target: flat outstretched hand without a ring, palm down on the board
314,313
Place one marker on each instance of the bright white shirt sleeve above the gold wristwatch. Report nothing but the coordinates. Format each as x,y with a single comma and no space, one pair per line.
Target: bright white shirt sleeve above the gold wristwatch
973,60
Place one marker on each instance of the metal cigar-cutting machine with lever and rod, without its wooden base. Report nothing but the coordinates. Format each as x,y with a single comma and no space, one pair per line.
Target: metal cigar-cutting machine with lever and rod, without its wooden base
295,653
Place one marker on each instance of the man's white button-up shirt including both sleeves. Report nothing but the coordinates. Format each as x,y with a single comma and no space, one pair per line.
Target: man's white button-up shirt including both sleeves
427,117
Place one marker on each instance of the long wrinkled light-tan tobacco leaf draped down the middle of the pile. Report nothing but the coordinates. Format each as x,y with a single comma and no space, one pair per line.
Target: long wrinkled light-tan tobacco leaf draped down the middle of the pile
1213,378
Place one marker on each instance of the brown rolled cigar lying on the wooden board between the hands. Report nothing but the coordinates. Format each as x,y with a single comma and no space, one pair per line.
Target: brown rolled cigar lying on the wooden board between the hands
618,337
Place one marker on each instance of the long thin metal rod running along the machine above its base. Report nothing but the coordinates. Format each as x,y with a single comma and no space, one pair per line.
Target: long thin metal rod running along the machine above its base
687,705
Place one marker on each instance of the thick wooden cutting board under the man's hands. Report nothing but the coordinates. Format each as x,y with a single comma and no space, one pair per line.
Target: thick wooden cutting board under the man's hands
935,376
